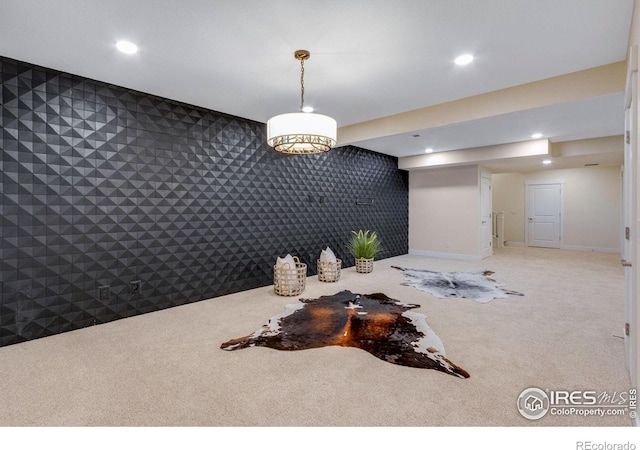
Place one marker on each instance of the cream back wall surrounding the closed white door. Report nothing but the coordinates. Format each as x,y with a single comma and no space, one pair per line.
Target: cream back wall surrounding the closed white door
592,202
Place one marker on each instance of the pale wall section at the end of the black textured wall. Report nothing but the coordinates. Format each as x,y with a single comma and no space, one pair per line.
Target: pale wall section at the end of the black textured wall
444,206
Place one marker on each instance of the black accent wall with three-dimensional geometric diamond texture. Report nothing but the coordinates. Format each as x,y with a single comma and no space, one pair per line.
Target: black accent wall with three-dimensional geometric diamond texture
102,186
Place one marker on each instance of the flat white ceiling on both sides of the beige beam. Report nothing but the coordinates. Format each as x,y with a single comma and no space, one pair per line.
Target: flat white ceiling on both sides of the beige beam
369,58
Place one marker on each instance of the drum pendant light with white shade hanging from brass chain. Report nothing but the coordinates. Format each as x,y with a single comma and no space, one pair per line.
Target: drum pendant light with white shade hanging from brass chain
301,132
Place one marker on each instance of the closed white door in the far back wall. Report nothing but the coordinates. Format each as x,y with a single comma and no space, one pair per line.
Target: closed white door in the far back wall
544,214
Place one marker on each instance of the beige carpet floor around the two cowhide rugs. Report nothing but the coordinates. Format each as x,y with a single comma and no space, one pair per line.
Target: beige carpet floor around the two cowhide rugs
166,368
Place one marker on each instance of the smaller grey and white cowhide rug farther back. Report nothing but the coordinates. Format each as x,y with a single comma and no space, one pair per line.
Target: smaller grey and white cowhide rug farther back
478,286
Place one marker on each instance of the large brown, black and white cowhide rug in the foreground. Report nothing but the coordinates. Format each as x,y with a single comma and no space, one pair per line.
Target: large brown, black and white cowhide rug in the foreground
384,327
